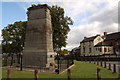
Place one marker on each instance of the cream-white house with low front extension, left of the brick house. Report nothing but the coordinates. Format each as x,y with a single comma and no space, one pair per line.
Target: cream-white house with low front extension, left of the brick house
95,45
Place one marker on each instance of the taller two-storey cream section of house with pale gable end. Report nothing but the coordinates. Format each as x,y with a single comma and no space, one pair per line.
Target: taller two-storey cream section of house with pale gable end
87,45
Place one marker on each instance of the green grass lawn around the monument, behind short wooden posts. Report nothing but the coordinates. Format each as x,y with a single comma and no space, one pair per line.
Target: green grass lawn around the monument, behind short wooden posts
80,70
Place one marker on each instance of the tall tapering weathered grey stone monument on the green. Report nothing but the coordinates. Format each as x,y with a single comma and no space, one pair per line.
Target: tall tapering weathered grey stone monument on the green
38,49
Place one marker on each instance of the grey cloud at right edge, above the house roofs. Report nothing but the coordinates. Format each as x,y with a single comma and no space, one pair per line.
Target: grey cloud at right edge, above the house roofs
107,17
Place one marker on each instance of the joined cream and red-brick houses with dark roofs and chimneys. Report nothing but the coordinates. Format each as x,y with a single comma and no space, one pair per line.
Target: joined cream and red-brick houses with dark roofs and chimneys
99,45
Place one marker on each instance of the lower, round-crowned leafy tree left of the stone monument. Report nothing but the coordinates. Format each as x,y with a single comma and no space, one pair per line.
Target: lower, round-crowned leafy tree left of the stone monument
13,38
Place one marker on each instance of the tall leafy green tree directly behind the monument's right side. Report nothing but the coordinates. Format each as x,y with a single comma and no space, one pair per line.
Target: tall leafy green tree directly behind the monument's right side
60,26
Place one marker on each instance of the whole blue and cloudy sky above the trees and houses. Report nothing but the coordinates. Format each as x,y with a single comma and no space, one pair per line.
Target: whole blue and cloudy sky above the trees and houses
90,17
